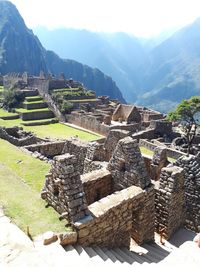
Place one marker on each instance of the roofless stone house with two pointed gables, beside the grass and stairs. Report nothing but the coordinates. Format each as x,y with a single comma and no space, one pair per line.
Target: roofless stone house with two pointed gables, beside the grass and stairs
100,207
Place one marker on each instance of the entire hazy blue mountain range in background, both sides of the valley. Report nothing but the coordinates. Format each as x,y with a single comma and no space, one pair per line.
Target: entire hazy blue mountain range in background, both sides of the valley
157,73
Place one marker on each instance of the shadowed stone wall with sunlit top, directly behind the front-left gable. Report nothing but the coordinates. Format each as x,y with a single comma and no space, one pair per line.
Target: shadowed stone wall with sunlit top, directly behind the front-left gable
76,147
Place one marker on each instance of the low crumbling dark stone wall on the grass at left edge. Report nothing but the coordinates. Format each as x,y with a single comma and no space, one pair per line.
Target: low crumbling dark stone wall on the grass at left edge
17,140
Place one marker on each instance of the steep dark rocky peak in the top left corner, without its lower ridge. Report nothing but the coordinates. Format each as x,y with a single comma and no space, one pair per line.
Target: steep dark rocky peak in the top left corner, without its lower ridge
19,49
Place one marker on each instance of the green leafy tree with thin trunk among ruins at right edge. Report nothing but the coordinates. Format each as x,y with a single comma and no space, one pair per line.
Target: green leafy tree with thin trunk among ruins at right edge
187,113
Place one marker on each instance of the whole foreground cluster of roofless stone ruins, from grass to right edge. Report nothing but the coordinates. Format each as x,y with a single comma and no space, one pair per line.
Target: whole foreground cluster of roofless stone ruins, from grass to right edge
109,200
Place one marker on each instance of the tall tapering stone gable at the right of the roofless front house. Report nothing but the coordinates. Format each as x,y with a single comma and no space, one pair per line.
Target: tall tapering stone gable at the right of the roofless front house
127,166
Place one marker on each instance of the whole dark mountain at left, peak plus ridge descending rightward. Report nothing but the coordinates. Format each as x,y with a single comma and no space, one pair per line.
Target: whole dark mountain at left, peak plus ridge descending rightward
21,50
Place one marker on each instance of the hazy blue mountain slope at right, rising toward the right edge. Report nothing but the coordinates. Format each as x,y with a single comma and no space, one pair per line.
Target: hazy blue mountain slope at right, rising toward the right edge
174,70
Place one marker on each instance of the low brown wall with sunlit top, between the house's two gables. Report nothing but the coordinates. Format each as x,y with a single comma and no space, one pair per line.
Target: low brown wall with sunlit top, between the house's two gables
97,185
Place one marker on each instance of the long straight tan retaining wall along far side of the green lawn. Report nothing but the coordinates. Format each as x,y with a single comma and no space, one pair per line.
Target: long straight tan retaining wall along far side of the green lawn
88,122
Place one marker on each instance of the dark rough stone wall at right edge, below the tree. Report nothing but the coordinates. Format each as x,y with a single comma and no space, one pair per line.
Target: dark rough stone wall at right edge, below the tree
191,166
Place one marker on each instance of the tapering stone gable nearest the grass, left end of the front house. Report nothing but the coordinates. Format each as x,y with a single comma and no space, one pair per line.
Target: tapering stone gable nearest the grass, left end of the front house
63,188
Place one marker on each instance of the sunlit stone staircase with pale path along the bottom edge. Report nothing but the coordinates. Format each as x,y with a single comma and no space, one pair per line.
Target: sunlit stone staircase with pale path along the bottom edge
17,250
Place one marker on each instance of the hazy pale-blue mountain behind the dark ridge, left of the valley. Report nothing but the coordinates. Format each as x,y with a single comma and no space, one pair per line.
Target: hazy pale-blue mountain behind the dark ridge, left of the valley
119,55
